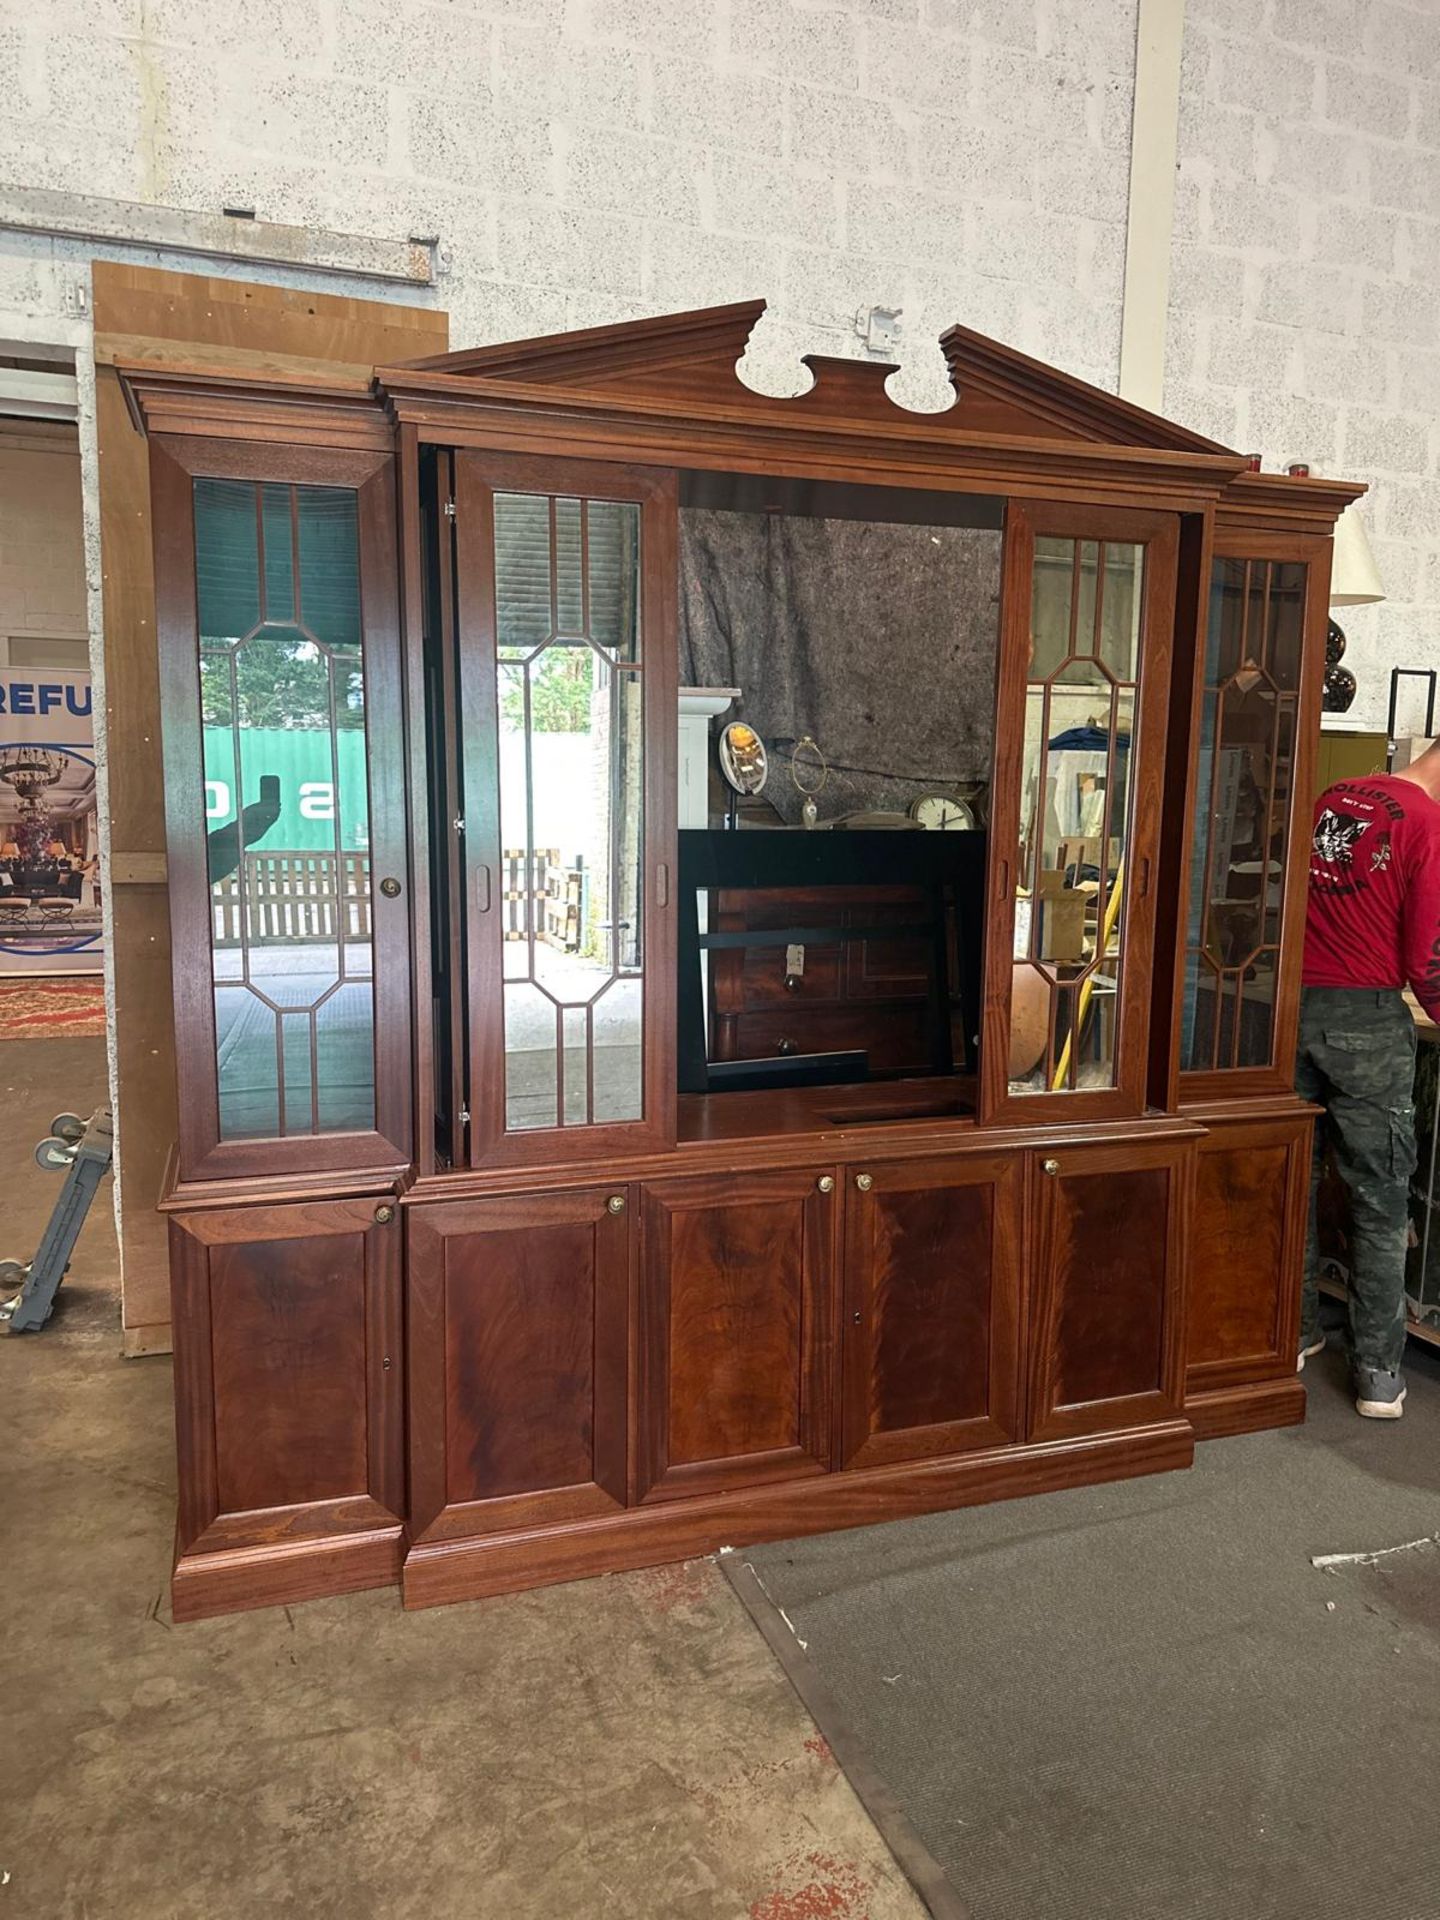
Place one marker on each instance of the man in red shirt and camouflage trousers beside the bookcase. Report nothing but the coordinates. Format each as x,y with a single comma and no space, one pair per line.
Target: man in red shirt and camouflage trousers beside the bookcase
1372,928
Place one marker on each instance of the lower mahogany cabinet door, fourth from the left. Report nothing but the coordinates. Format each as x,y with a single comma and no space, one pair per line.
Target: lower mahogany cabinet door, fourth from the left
932,1308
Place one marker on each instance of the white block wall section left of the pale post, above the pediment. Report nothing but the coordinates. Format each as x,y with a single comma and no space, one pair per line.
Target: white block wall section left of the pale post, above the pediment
594,160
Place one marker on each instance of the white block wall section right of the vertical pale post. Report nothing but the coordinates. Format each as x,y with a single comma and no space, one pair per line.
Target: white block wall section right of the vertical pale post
1307,277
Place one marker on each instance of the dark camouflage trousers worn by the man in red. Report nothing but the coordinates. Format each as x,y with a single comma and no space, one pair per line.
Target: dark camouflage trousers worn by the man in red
1356,1061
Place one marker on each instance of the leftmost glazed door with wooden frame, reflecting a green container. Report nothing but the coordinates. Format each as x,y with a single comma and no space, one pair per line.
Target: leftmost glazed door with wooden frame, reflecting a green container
285,805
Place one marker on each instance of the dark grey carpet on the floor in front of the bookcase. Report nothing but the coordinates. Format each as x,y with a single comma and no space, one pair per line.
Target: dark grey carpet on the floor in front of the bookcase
1143,1700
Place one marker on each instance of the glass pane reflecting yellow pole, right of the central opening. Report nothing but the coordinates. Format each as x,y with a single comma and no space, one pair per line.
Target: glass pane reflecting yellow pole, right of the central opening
1076,830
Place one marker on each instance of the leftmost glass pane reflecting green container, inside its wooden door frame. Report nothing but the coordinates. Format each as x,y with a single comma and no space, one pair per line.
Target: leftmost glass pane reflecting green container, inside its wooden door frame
287,807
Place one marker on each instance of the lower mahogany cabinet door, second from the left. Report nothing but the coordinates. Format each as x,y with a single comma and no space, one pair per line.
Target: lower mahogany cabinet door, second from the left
517,1360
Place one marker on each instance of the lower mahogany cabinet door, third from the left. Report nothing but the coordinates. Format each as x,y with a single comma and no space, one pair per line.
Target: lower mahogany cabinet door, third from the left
734,1339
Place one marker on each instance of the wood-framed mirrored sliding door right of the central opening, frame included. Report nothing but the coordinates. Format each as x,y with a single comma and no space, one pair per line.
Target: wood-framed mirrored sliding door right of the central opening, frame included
1082,731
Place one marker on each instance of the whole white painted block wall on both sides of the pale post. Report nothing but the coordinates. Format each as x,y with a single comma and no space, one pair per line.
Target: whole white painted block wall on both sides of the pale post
594,160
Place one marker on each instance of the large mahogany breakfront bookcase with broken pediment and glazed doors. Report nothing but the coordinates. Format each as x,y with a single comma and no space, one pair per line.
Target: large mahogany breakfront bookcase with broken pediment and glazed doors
468,1297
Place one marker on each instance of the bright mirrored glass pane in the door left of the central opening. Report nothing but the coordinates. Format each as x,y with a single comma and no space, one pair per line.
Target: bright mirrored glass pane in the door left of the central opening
569,717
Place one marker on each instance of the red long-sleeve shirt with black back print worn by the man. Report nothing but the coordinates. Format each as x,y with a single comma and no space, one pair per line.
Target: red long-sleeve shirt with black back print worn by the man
1374,917
